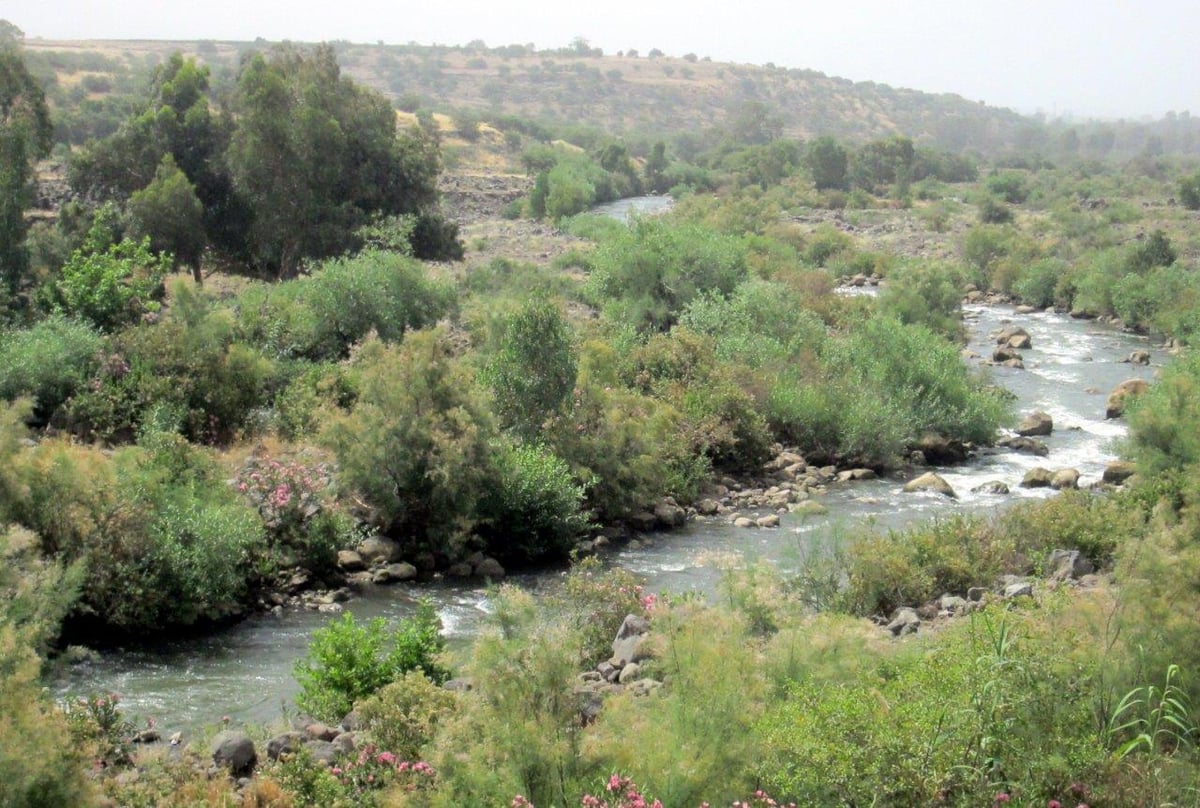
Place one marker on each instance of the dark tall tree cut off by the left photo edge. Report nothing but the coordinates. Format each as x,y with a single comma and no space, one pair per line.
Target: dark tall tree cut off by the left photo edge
26,135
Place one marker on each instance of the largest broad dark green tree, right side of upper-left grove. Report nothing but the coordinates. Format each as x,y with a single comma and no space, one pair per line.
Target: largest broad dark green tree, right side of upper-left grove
315,155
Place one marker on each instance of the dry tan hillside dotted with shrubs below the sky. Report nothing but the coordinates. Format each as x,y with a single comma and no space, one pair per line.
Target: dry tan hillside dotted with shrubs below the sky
627,93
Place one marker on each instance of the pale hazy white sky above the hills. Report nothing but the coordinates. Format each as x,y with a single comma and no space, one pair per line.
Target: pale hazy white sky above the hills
1109,58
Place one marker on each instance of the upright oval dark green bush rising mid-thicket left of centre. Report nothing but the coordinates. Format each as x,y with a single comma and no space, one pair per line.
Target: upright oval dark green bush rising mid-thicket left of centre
533,373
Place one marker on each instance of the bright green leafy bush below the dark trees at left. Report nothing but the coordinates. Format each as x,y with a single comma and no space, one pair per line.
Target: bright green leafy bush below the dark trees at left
111,285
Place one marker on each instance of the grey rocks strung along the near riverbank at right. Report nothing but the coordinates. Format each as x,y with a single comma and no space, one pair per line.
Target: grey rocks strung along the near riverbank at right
1065,567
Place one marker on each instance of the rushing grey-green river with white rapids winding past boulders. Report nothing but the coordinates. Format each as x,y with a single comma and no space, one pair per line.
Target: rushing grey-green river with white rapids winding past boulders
245,672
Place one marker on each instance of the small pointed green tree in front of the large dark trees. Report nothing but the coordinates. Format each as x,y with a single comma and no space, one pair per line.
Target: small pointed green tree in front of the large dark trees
171,216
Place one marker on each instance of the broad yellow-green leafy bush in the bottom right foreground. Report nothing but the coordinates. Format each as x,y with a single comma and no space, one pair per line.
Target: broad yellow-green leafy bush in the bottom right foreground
992,707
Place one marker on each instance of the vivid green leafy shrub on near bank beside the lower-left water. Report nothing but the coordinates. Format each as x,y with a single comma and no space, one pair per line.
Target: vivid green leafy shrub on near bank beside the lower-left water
349,661
